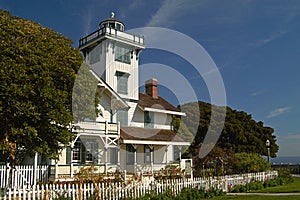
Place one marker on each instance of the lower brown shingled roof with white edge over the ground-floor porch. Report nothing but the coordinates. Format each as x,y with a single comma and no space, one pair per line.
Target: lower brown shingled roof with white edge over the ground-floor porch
138,135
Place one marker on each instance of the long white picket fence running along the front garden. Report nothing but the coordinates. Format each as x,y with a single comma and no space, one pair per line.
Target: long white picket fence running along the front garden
134,189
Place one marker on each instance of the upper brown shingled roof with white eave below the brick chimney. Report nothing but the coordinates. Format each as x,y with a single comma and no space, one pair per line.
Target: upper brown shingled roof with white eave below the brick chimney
159,104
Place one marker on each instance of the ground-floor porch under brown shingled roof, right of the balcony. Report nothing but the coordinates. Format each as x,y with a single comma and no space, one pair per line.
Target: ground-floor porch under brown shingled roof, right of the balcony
147,150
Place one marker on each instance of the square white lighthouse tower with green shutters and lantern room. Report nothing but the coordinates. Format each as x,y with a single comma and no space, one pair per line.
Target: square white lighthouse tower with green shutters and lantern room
113,54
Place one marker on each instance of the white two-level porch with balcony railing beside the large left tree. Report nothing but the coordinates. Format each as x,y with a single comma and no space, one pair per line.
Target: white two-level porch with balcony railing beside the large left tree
96,144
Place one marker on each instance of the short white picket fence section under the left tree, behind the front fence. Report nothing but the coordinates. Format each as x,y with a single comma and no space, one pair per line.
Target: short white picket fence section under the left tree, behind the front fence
22,176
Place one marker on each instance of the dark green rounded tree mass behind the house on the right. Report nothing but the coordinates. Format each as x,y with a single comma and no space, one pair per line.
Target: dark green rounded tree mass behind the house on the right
241,133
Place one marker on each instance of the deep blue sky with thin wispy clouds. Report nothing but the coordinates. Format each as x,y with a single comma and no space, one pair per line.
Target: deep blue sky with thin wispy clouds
255,45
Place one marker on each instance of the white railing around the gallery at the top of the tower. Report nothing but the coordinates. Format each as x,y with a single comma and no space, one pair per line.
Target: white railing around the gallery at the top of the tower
110,32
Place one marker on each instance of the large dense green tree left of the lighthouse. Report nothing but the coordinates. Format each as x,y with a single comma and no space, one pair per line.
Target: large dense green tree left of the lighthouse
38,67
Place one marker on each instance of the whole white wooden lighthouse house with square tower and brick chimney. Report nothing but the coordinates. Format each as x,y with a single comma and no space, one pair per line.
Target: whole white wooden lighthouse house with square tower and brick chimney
137,134
